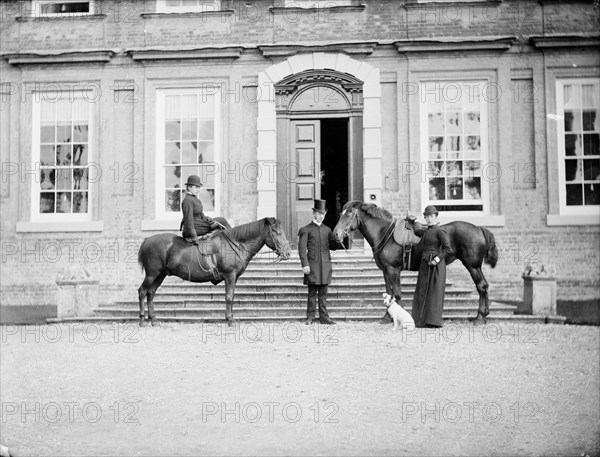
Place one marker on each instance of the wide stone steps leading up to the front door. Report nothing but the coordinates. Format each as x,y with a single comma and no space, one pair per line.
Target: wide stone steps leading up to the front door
270,291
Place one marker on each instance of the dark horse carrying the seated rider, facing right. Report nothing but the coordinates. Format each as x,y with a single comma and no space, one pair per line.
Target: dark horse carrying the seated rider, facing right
167,254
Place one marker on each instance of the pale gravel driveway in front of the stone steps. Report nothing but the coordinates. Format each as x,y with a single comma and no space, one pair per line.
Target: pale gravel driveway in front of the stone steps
290,389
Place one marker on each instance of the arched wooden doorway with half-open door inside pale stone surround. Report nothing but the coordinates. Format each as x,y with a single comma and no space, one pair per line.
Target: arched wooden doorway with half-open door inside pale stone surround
319,144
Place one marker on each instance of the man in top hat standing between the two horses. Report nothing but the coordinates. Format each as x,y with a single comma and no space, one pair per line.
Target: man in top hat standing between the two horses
314,242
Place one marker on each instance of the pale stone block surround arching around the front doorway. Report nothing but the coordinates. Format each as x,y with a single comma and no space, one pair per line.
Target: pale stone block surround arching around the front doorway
340,72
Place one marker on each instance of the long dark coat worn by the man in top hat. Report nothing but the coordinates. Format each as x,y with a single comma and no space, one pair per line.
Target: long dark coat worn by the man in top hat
314,243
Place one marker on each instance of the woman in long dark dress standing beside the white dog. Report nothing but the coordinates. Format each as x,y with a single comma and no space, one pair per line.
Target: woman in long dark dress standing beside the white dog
428,301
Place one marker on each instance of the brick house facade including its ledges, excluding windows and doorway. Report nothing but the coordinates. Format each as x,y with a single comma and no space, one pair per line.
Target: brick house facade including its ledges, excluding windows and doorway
519,46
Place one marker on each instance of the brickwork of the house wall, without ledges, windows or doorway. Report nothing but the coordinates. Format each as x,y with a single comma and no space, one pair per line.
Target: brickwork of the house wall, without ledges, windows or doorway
110,255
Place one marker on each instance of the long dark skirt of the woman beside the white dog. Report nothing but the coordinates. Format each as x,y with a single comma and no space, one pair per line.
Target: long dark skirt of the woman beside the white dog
428,301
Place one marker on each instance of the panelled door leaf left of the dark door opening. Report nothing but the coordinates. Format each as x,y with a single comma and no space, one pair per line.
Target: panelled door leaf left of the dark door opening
306,156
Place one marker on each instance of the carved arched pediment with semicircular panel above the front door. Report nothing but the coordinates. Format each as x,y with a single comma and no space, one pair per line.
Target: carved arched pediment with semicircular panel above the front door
319,91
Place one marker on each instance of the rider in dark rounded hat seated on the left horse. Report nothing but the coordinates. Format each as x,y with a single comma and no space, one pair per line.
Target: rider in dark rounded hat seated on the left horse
195,223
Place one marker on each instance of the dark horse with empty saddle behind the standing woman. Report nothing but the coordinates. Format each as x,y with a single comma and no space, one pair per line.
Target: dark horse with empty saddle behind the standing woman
472,245
